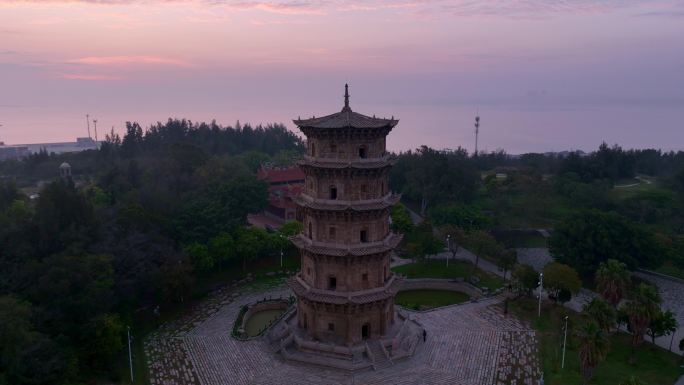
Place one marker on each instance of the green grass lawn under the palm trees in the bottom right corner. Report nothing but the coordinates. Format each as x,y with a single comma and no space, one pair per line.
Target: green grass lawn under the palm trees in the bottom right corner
655,366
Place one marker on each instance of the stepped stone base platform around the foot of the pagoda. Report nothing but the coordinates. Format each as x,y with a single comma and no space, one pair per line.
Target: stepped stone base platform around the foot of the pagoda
400,342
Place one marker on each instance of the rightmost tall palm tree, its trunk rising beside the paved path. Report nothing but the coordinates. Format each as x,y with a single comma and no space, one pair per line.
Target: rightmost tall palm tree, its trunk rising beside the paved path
640,310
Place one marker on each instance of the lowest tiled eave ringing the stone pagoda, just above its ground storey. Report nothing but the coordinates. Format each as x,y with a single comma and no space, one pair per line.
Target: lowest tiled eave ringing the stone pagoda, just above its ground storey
304,290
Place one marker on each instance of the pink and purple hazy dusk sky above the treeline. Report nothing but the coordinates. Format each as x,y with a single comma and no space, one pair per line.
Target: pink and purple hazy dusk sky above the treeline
544,75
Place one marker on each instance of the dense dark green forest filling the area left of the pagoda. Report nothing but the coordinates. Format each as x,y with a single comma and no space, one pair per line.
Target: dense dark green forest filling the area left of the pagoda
143,219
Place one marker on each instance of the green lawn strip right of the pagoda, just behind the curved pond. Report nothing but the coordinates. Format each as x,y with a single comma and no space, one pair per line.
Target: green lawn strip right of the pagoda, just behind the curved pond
456,269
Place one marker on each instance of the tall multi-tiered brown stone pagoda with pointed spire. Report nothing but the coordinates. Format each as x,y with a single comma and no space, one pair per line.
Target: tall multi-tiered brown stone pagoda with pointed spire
345,289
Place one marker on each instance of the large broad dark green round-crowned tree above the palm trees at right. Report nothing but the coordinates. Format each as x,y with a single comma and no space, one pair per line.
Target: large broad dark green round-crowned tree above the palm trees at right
590,237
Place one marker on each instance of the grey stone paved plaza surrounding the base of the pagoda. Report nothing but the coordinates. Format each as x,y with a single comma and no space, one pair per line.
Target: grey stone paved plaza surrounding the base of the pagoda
468,344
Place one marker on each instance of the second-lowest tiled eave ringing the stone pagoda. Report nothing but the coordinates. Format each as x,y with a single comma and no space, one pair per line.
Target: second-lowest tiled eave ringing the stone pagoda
347,249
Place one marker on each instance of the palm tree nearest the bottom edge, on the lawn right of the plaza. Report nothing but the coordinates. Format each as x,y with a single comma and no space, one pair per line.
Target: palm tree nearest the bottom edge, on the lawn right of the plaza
593,348
